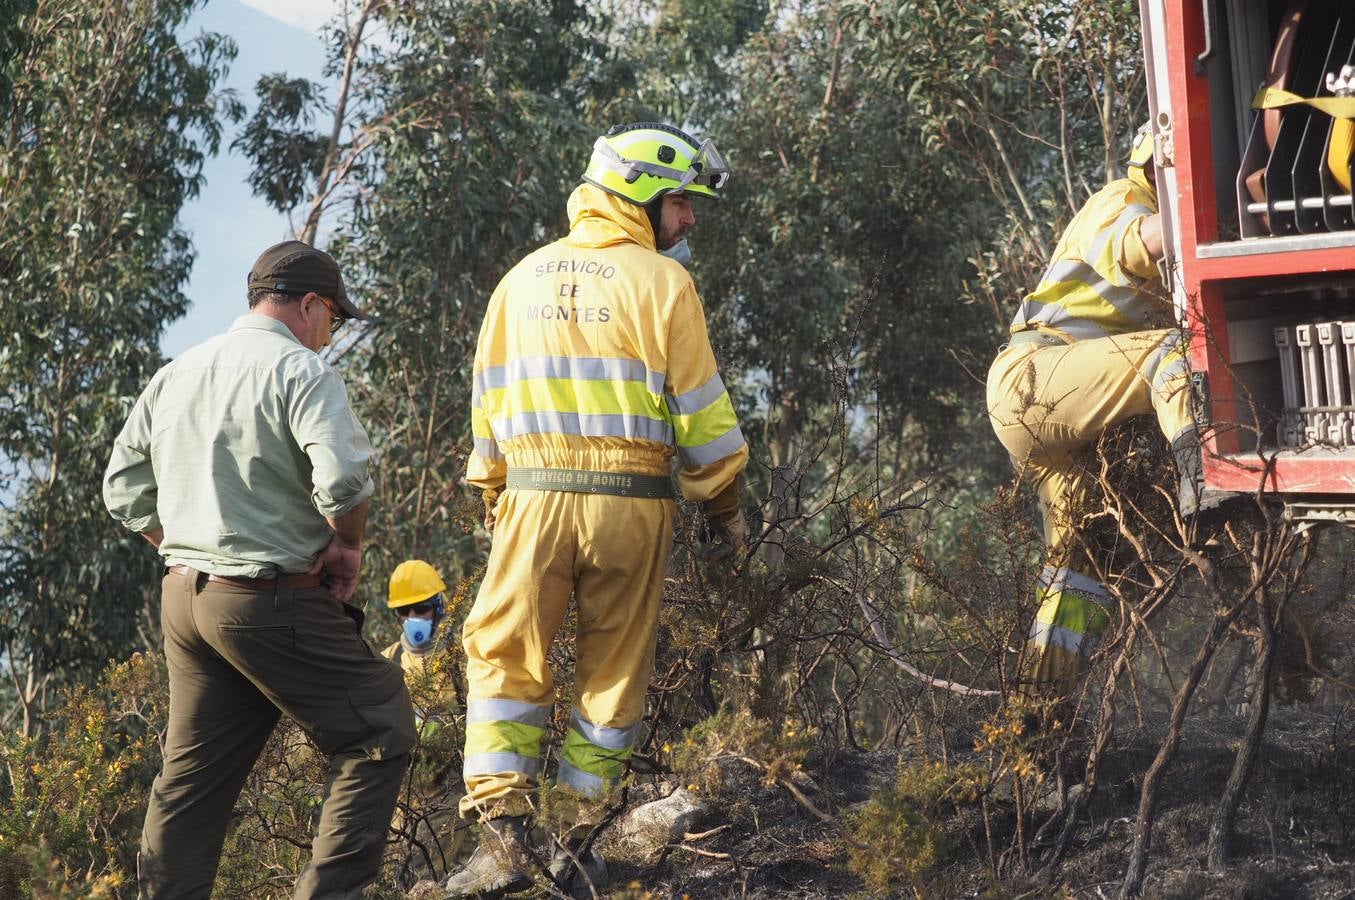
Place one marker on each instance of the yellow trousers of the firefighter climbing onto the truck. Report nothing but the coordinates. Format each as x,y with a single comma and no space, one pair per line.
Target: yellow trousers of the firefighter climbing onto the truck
1048,406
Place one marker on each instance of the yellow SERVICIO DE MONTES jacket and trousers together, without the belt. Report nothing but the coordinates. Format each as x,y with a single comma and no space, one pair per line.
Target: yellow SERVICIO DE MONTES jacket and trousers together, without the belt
594,357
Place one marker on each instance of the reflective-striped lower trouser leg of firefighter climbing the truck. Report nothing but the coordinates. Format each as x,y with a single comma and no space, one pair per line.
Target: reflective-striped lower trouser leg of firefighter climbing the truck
1068,626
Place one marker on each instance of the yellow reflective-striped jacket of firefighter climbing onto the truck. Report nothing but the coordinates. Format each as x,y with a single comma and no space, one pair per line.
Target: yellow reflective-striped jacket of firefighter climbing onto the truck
1102,281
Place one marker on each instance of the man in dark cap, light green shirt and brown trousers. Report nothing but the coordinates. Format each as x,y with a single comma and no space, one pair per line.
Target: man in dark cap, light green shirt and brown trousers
243,463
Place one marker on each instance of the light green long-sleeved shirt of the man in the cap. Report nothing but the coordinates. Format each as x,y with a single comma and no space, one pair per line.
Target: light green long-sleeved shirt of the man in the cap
241,449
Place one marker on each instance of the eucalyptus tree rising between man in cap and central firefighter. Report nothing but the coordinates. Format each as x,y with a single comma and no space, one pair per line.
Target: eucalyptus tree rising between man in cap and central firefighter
467,124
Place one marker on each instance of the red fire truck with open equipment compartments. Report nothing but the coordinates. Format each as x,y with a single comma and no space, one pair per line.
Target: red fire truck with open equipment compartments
1253,105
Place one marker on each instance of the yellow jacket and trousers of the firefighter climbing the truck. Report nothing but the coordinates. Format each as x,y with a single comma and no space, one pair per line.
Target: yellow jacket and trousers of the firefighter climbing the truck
1089,352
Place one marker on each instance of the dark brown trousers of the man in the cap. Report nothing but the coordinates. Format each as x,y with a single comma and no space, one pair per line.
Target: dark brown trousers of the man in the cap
239,658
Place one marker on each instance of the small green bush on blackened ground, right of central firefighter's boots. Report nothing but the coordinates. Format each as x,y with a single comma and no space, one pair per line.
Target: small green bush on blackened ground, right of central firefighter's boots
903,834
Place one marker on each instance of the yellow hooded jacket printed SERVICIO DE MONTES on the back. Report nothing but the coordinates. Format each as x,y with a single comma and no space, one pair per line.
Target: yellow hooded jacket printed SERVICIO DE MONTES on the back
594,354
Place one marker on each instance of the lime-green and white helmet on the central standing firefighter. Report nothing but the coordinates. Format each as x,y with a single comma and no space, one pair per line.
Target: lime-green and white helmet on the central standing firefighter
646,161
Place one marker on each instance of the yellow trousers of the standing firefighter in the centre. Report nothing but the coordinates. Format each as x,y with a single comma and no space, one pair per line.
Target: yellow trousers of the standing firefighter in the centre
608,552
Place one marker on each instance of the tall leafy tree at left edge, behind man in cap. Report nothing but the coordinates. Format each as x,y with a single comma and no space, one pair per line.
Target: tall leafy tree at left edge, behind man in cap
105,131
